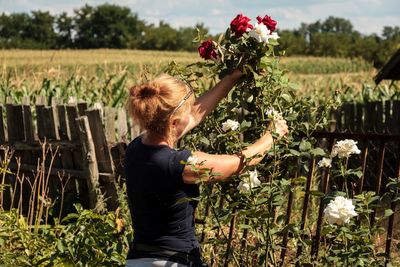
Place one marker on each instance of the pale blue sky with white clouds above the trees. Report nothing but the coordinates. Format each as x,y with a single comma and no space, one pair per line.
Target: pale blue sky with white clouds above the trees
367,16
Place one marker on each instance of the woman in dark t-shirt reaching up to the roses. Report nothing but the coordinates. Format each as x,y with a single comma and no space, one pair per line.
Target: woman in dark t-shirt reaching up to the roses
156,178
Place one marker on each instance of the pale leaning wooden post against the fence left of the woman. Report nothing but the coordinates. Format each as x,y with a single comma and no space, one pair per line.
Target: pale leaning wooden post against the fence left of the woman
96,200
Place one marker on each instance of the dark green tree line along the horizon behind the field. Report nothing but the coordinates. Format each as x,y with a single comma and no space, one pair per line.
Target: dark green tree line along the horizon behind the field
113,26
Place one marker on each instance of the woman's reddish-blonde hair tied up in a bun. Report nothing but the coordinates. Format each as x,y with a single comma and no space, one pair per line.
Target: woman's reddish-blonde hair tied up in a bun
152,105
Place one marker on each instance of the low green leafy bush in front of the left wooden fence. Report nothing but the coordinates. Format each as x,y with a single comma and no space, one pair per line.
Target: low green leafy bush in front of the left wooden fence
84,238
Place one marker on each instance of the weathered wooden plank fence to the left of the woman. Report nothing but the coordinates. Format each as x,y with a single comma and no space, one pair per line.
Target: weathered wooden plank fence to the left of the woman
76,148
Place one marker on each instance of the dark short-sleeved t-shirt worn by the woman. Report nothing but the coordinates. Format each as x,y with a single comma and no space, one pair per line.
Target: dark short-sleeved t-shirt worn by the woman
155,191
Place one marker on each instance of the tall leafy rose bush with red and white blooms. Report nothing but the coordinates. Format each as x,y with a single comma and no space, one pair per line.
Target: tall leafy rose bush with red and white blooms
254,205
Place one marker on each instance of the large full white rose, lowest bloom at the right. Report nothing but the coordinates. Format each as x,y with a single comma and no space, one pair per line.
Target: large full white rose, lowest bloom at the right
339,211
